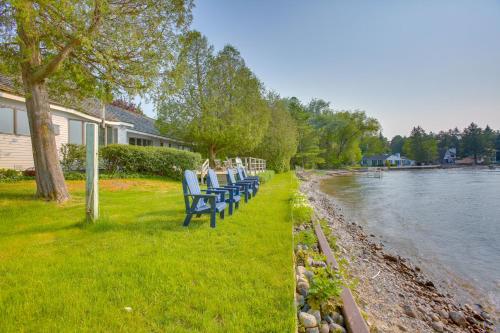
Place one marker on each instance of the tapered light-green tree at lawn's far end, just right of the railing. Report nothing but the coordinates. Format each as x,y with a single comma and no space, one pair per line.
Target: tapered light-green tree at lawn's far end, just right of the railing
280,141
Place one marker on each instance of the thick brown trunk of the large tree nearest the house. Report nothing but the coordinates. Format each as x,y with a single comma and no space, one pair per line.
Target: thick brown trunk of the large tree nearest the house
49,175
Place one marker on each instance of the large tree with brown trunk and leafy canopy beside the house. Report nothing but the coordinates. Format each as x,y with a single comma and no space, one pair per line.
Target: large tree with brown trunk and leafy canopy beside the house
89,48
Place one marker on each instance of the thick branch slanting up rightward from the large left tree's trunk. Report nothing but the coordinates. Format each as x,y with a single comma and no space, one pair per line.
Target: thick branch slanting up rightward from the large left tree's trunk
50,67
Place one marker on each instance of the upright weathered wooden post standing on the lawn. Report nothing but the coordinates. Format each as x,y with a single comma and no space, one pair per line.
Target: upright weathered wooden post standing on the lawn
92,172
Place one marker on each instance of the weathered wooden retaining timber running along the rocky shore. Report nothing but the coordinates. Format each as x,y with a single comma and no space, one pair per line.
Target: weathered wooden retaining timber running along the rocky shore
354,321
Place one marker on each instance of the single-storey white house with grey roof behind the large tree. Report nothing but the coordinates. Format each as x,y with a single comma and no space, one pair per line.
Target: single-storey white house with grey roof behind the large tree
117,125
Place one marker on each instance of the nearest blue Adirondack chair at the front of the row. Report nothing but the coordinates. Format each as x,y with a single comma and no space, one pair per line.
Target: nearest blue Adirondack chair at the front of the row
212,202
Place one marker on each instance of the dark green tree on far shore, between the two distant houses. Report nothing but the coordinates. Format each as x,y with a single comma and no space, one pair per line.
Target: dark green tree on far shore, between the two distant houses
420,146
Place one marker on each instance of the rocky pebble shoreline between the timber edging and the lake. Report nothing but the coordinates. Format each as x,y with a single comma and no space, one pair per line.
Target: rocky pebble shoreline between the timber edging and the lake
396,294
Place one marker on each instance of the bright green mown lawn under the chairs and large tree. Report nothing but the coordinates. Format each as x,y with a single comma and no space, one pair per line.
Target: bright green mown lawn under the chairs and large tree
58,274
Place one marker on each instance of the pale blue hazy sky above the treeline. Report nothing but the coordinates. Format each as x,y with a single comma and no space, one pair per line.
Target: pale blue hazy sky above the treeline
431,63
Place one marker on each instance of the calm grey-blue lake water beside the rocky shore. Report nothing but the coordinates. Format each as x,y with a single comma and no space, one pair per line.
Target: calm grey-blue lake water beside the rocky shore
446,221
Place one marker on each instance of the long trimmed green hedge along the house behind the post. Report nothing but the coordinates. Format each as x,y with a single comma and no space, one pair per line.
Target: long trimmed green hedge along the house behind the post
159,161
